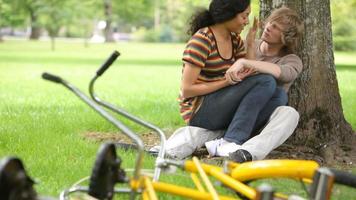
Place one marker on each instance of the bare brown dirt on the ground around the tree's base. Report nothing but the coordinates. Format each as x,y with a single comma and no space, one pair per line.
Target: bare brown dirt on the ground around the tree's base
337,156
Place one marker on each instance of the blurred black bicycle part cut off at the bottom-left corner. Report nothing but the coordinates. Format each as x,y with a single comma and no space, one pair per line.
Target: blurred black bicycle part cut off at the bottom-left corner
15,184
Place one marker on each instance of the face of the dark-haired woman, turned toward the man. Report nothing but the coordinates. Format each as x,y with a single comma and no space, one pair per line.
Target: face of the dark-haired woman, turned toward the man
238,23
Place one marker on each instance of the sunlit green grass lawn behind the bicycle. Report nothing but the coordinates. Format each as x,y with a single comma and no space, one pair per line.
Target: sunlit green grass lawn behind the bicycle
44,124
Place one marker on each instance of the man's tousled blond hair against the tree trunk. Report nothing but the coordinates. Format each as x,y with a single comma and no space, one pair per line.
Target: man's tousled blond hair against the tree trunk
292,27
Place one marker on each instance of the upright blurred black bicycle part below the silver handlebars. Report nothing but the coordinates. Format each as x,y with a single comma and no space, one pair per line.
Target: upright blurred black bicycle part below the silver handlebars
106,173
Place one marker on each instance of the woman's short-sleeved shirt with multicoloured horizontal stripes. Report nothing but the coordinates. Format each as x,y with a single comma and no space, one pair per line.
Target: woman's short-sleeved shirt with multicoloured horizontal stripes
202,51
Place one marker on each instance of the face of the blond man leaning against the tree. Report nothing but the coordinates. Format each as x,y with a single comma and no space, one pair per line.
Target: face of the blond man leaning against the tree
272,33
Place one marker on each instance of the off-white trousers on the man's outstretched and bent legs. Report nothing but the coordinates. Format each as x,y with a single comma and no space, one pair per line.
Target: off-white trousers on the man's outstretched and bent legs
280,126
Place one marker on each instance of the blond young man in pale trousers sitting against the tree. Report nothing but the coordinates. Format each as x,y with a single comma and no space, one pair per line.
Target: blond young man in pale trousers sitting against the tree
274,54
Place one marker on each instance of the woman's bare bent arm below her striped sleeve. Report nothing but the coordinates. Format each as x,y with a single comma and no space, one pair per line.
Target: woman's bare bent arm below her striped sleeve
189,87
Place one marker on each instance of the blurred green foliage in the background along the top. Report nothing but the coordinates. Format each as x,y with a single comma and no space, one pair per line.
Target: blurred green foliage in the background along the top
147,20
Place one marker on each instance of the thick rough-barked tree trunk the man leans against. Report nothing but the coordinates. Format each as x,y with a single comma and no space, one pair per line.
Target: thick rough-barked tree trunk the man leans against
315,94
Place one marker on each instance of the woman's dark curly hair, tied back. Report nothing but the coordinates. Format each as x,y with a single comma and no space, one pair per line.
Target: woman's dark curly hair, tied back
219,11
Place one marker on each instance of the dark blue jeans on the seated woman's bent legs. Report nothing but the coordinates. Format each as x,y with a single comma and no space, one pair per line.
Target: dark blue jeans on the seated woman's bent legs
236,108
